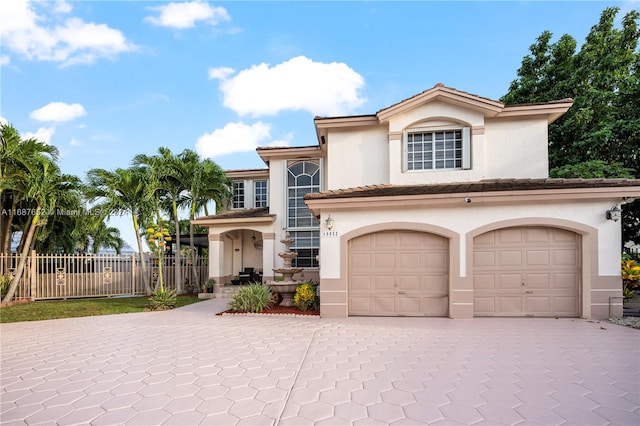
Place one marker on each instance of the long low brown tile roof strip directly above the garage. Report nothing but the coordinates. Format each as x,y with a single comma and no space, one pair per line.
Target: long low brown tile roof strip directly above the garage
388,190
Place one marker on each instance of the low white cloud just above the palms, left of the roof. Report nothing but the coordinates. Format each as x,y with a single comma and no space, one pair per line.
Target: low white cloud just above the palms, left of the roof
233,138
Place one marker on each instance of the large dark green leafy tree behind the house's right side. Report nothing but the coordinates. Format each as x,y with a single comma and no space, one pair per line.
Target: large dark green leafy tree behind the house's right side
603,78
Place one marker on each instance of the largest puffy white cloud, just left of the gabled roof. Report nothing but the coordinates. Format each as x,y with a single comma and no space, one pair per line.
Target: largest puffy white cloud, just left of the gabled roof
297,84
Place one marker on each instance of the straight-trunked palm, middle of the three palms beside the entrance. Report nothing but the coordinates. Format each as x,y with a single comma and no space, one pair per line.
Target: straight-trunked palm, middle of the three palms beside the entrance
170,174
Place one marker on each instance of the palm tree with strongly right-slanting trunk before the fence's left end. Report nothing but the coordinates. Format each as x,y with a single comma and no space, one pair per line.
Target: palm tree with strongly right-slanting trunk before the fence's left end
46,187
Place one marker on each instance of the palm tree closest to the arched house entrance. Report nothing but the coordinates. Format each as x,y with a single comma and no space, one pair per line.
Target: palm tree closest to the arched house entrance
205,181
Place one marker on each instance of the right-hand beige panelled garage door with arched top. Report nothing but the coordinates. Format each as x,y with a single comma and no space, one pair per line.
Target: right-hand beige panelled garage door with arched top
527,271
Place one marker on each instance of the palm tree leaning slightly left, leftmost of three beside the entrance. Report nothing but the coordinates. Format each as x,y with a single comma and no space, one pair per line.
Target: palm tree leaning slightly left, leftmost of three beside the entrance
124,191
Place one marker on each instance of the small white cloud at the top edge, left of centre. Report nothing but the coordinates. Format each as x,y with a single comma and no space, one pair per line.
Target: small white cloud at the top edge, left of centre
185,15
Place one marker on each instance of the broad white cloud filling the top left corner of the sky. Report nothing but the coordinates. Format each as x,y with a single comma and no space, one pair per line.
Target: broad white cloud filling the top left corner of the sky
33,36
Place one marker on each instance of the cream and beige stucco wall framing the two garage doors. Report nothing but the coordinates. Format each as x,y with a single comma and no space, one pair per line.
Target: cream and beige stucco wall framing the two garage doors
600,245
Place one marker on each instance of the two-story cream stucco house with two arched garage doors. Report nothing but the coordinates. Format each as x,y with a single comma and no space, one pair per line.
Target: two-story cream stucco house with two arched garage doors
439,205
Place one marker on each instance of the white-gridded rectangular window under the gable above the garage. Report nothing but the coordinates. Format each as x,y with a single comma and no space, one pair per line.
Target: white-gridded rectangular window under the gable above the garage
447,149
